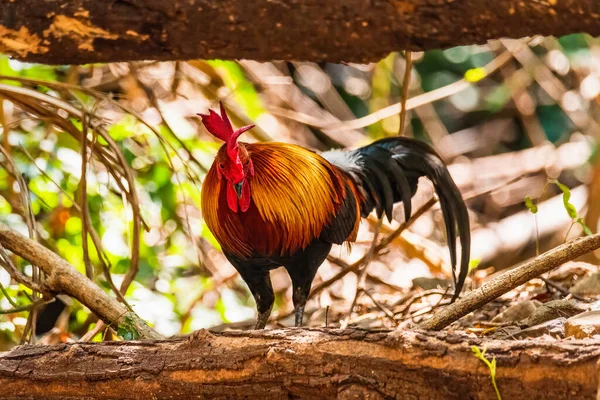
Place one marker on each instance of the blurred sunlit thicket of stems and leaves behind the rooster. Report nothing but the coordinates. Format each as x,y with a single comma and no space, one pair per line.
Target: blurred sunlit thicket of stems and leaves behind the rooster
506,117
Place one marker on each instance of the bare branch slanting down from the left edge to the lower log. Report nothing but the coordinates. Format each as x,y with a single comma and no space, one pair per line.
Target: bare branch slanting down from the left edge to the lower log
62,277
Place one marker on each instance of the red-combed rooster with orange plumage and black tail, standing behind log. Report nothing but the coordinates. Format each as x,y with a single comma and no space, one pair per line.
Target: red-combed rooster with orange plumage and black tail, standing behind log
278,204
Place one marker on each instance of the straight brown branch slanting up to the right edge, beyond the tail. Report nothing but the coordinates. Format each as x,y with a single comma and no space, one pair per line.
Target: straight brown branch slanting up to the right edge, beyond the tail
510,280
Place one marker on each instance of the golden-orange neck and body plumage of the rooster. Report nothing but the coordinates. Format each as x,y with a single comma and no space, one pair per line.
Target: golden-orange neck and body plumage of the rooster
295,194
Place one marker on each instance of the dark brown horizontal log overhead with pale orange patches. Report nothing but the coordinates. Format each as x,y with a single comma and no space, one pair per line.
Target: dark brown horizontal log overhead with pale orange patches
87,31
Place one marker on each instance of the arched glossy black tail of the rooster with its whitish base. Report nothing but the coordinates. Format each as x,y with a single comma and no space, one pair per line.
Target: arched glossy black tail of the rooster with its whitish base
388,171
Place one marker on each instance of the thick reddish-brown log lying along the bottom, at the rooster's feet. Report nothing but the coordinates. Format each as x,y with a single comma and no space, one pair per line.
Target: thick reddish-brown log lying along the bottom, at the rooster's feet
303,363
